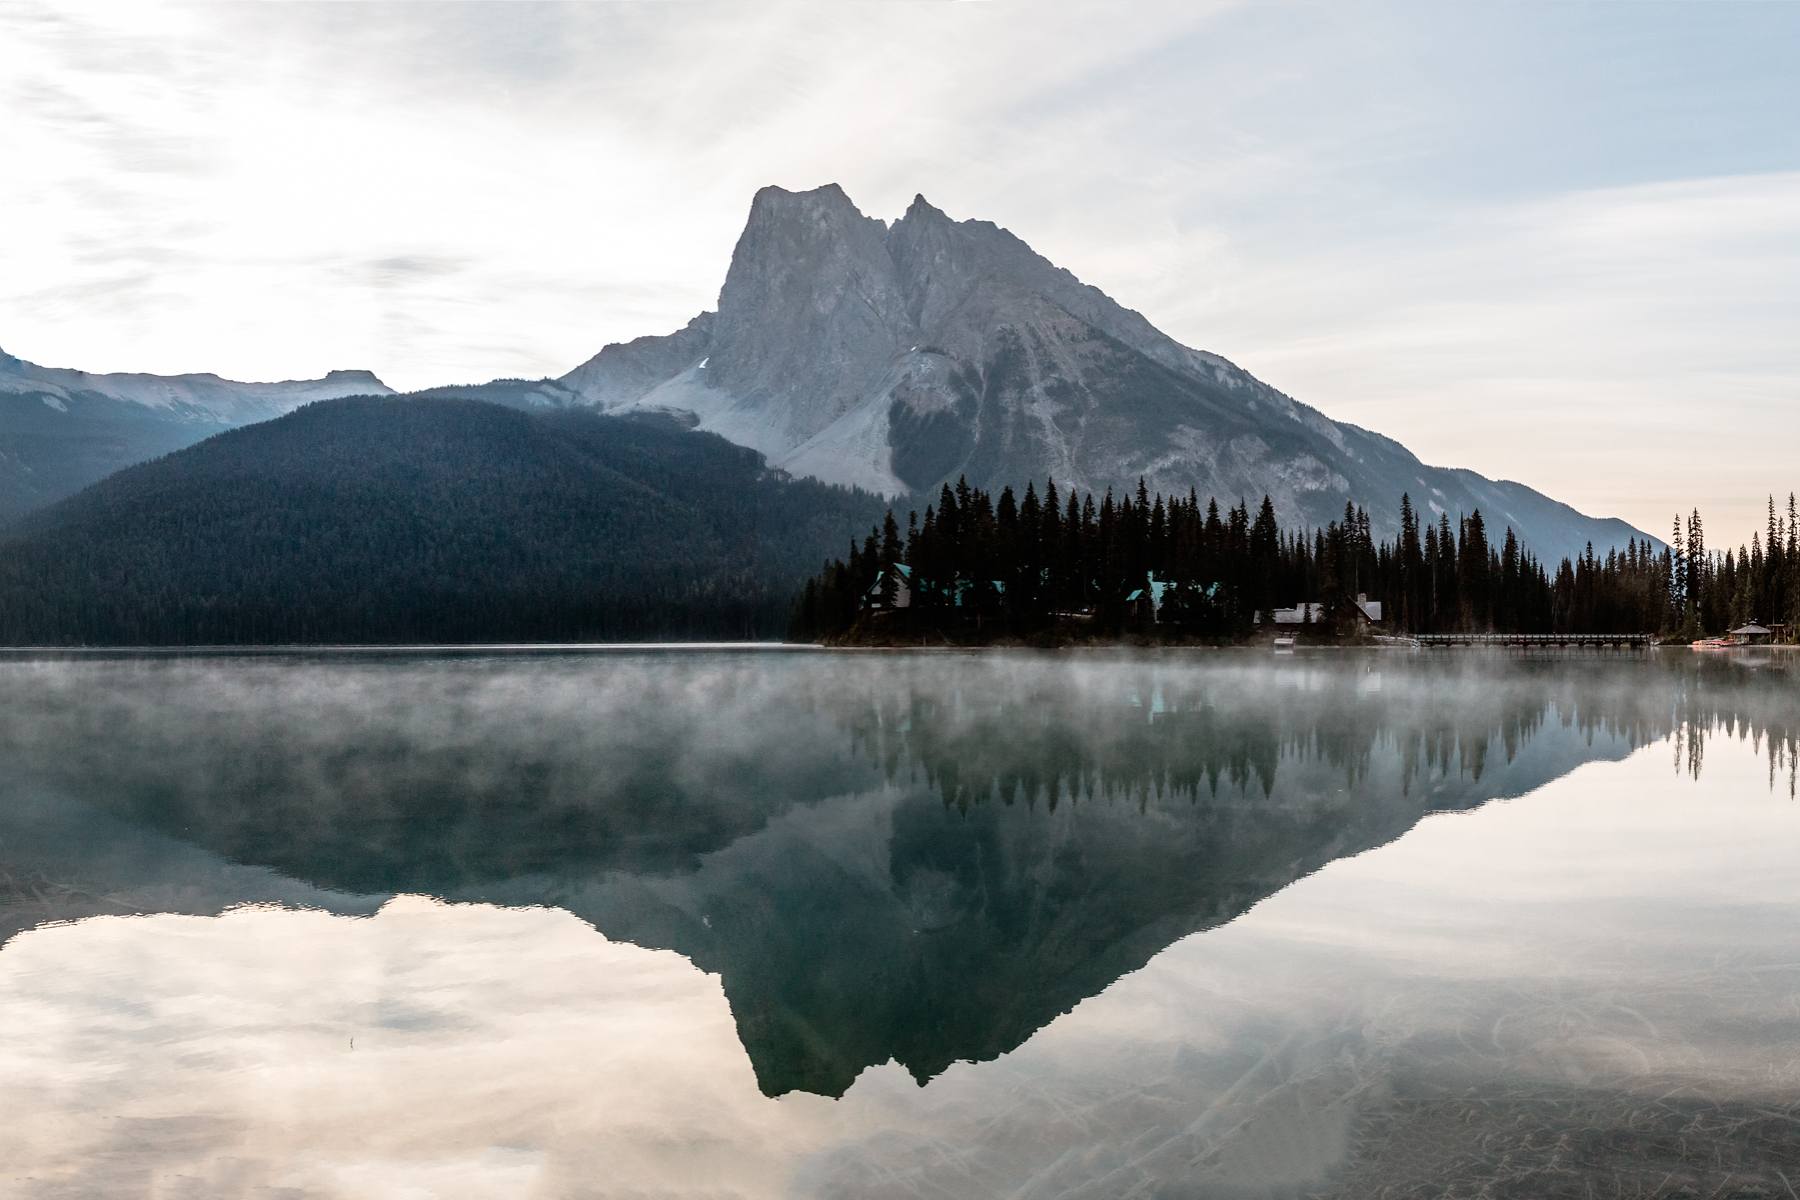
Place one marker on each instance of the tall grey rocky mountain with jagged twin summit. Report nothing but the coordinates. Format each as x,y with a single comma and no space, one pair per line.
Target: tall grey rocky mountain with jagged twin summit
901,357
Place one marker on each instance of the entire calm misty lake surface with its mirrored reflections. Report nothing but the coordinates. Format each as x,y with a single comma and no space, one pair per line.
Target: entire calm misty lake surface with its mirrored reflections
802,924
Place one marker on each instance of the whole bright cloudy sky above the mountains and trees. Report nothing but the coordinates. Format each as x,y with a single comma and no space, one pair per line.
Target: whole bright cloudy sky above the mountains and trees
1552,244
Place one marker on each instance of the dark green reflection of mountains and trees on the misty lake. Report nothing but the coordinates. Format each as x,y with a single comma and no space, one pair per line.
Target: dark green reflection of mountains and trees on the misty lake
885,855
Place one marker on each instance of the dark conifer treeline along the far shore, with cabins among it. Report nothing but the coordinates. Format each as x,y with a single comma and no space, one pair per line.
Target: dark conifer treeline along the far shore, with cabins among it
985,566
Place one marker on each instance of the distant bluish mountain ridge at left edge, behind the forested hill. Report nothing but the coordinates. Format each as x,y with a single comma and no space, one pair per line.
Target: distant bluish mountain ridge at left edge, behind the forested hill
62,431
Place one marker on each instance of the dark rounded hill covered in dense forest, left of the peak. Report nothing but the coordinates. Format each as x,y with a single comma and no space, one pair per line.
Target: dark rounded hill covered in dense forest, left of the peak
435,521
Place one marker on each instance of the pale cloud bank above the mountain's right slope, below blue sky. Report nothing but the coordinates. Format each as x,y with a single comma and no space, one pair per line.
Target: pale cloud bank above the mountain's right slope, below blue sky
1581,343
